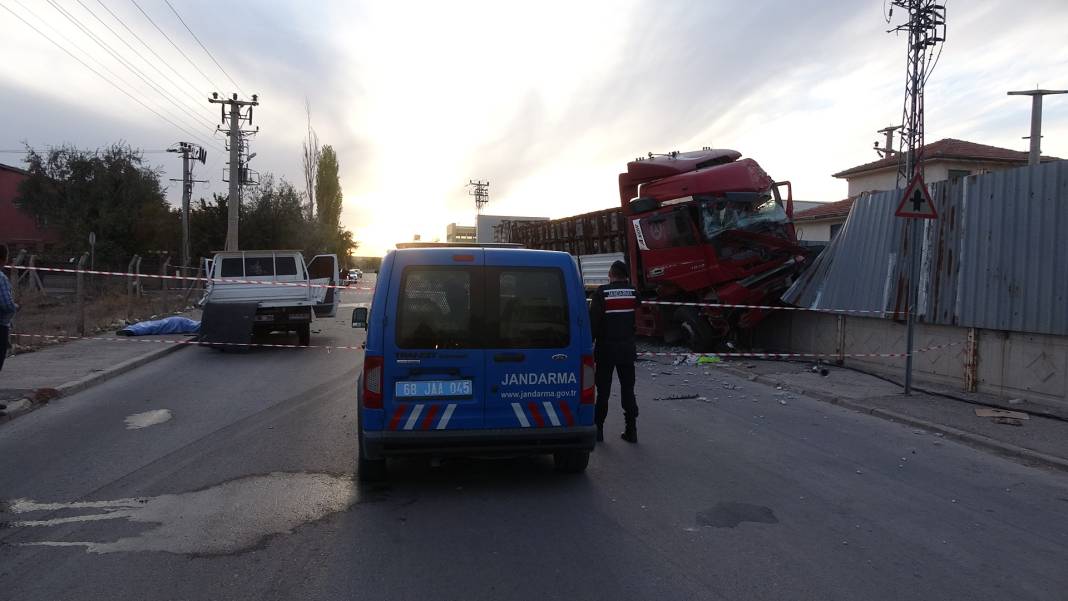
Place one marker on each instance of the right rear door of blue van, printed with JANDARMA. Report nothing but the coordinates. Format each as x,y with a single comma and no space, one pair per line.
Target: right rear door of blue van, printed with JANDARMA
533,347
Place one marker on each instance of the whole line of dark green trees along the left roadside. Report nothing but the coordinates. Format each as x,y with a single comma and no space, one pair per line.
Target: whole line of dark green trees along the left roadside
113,194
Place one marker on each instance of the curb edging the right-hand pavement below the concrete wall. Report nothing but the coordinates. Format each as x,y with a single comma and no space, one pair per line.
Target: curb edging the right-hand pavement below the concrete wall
981,441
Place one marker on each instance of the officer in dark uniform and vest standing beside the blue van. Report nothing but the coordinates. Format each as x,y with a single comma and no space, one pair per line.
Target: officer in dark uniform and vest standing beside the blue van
612,323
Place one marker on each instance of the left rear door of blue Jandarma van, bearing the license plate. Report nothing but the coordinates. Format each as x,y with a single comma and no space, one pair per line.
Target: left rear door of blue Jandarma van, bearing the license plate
434,365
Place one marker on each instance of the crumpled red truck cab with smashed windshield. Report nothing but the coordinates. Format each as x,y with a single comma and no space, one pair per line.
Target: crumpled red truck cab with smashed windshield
708,227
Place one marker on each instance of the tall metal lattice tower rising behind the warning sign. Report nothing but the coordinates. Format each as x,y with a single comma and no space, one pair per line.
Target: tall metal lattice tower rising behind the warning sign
926,29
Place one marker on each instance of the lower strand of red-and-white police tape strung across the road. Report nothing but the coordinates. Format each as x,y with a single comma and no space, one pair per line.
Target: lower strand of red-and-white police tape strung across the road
329,349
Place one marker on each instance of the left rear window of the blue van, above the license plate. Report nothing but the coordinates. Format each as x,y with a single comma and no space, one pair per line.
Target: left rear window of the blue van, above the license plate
435,309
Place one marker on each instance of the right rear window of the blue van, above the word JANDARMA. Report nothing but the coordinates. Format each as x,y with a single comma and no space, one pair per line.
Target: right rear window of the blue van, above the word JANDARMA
532,309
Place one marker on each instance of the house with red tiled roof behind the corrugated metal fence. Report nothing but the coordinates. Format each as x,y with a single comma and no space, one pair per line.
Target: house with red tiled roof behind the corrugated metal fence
946,160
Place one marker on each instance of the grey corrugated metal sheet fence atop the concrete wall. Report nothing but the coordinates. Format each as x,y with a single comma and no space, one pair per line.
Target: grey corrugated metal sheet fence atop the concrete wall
997,258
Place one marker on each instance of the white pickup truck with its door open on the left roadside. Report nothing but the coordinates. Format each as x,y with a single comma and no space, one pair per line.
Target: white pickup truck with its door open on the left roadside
252,292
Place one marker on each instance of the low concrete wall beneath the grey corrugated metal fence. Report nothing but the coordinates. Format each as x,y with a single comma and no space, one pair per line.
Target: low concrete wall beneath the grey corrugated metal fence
1008,365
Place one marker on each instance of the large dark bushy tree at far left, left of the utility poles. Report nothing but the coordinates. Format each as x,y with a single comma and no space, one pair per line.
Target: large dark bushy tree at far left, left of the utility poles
109,193
